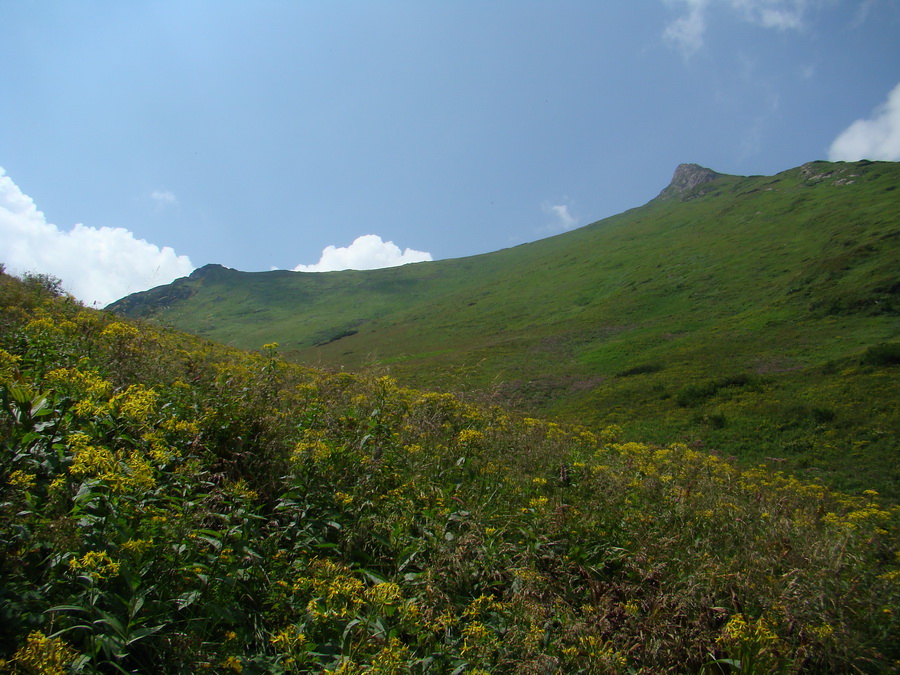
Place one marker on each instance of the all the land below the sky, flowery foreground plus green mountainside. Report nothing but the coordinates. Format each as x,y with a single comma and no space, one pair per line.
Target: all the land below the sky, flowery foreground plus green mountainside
665,442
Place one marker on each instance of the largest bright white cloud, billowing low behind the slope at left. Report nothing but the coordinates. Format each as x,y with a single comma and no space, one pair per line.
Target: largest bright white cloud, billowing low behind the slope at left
96,265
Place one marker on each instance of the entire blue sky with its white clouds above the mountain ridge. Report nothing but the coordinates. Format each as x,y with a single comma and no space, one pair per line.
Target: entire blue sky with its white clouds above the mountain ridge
140,140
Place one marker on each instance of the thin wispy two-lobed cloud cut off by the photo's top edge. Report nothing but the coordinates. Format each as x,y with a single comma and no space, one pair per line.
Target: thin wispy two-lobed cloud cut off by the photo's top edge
688,30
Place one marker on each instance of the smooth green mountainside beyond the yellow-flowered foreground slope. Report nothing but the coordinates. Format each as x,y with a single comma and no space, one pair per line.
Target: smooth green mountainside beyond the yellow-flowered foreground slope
757,316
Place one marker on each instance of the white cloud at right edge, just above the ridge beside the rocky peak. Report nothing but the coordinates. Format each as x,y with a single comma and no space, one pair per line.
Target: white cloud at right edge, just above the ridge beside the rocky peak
875,138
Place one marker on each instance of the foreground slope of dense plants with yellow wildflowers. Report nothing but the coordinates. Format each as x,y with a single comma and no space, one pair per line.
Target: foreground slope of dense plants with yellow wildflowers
171,505
